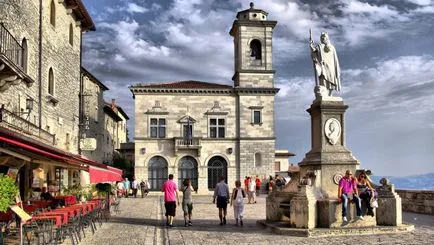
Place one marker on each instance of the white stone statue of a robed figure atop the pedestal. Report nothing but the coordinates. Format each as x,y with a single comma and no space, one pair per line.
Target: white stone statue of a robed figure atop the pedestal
326,66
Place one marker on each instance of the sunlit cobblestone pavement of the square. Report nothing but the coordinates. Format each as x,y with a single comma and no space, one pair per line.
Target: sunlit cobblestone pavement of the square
141,221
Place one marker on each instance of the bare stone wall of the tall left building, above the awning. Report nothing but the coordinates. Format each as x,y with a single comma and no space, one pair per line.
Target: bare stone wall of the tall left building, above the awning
48,48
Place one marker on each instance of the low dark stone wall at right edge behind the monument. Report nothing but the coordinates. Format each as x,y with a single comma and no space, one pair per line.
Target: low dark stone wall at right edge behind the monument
417,201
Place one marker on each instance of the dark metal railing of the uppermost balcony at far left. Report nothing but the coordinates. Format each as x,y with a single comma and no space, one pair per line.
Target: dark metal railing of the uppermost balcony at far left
10,47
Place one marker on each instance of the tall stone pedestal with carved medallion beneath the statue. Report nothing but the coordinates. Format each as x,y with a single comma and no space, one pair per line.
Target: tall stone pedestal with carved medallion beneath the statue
328,158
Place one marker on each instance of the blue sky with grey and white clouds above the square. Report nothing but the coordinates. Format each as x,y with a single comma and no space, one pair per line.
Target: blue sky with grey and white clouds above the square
385,50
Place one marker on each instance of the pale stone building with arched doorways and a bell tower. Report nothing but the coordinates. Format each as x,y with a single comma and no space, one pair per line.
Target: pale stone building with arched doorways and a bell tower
204,130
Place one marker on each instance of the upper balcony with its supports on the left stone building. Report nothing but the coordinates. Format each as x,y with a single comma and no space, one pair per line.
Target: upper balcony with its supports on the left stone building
13,60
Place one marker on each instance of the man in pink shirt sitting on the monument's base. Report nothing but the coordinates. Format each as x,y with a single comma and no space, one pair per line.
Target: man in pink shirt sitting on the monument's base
348,186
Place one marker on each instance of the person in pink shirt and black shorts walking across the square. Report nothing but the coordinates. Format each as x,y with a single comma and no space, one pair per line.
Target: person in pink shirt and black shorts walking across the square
171,196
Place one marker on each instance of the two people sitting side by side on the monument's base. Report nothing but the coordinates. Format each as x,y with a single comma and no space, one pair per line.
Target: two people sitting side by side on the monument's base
349,186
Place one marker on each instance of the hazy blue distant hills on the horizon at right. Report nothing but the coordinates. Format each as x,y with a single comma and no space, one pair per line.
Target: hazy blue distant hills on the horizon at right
413,182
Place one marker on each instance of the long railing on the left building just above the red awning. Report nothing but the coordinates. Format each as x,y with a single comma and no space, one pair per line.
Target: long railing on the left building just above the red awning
20,125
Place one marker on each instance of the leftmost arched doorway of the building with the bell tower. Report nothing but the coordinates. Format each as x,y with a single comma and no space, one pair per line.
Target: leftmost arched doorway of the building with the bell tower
157,172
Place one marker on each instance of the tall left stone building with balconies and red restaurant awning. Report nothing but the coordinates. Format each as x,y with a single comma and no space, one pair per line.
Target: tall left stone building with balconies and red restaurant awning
40,60
